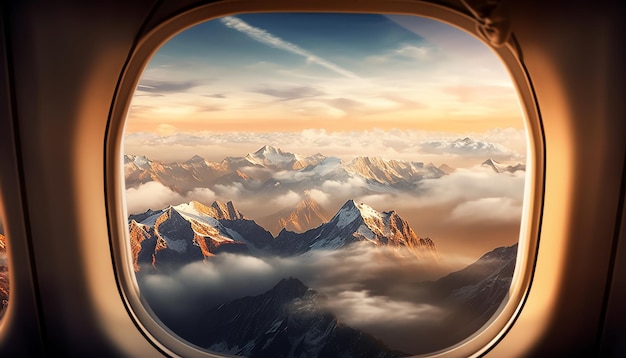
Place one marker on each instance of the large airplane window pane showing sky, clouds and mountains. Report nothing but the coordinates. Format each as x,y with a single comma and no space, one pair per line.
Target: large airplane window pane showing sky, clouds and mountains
324,184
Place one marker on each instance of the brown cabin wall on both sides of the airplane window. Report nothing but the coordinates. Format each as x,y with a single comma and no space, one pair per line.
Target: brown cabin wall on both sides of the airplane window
60,64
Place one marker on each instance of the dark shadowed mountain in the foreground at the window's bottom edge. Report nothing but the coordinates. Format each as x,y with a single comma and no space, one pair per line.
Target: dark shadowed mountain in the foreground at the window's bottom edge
286,321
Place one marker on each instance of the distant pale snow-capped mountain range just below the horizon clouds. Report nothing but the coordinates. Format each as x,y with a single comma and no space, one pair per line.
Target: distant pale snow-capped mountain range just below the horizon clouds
271,170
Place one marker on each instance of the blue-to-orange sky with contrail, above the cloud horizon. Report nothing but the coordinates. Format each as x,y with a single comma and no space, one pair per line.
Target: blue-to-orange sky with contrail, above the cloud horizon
331,71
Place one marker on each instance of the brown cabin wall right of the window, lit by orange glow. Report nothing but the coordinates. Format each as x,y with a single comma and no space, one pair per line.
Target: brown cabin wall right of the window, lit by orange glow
571,53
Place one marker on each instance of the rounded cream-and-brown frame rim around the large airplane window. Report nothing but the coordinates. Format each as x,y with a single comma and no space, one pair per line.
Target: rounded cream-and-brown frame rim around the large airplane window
164,339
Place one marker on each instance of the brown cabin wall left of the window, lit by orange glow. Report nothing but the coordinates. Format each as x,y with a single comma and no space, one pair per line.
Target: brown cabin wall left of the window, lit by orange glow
66,60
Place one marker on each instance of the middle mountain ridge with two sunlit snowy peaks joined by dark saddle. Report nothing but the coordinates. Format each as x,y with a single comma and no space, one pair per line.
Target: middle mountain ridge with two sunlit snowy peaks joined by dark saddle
193,231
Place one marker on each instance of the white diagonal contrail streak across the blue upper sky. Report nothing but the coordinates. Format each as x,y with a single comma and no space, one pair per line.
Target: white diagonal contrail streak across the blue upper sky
269,39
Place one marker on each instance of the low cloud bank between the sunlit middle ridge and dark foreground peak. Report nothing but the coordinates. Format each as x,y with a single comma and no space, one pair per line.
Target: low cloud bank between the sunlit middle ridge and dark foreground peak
368,288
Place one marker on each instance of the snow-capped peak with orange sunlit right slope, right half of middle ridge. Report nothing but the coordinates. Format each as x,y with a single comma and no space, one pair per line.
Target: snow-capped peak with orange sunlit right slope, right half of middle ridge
357,223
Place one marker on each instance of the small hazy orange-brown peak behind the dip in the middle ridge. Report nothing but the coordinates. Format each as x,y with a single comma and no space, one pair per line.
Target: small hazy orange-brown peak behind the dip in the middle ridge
307,214
